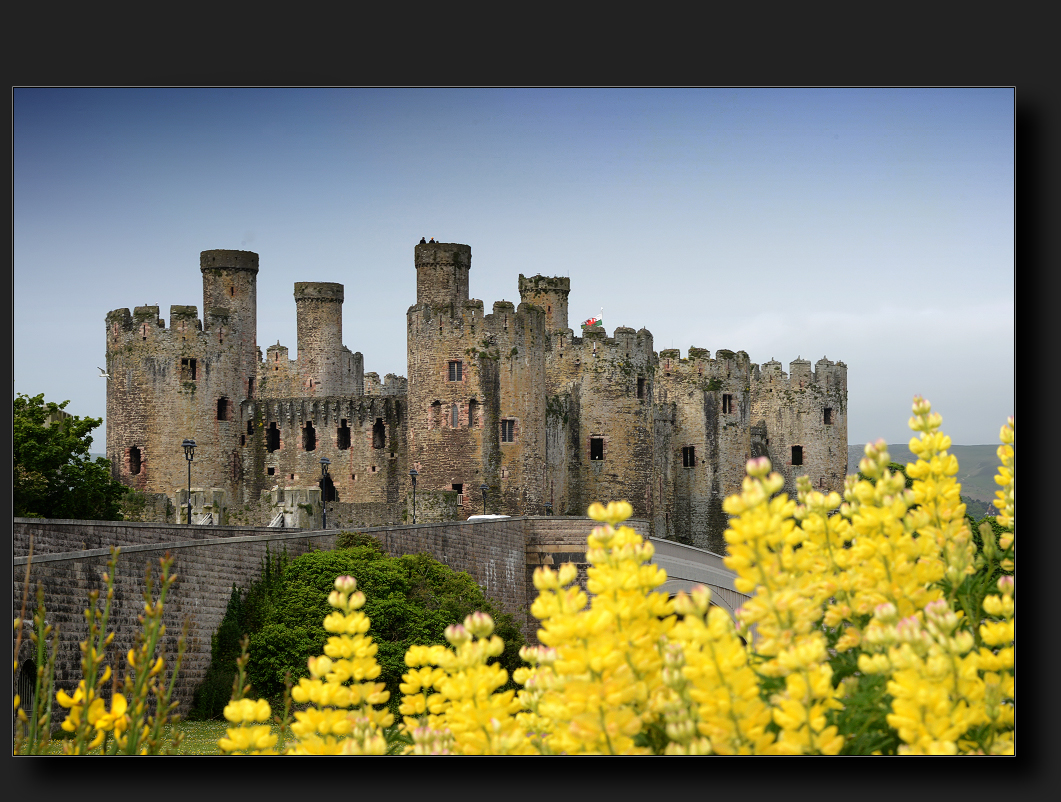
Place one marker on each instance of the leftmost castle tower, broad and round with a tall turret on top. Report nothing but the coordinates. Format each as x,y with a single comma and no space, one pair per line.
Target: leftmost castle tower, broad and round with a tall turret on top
186,381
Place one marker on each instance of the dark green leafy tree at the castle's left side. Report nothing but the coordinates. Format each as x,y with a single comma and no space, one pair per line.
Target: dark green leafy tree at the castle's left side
54,475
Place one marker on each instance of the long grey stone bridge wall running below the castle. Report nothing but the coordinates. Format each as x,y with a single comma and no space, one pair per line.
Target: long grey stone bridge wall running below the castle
69,560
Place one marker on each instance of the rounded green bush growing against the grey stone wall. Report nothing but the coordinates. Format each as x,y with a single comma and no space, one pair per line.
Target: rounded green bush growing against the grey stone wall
410,600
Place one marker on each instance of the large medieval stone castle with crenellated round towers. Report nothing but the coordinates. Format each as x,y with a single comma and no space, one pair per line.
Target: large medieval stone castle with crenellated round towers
512,400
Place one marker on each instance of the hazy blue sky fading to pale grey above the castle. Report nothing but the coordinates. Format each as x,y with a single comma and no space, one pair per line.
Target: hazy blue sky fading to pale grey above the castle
873,226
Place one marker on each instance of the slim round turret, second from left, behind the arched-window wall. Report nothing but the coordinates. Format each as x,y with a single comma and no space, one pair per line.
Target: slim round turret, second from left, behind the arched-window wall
320,319
